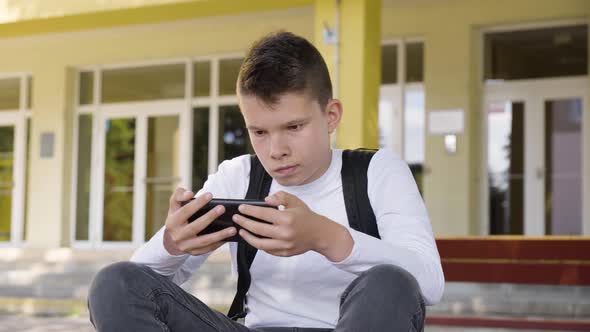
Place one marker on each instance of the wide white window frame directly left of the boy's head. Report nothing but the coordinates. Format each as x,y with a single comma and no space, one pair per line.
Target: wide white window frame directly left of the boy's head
141,111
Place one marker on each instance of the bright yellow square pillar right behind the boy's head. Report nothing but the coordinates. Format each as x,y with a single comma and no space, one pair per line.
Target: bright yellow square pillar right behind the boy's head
356,83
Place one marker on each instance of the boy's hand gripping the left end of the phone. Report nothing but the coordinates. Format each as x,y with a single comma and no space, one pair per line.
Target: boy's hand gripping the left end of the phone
181,237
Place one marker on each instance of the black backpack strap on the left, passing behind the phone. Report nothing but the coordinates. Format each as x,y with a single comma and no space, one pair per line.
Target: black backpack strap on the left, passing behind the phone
258,188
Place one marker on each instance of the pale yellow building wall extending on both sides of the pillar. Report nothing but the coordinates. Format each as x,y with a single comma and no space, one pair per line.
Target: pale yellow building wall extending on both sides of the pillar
450,29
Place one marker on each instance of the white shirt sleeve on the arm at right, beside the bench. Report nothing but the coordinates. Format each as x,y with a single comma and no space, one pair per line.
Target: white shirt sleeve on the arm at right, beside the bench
406,234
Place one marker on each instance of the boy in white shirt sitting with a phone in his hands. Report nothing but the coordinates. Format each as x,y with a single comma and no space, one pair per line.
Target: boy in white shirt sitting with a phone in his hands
312,272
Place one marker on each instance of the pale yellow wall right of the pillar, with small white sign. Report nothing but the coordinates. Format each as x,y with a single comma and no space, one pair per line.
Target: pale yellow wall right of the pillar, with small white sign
451,78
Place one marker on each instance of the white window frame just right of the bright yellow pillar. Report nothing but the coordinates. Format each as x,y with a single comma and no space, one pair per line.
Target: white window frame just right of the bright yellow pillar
396,94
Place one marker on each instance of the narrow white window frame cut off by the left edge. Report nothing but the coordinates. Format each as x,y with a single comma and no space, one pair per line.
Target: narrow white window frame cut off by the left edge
18,118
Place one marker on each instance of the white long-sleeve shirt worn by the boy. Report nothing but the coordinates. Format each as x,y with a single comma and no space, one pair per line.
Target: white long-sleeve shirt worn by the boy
305,290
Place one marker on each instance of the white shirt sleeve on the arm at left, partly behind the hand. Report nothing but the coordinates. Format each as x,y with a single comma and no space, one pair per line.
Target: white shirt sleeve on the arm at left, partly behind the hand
230,181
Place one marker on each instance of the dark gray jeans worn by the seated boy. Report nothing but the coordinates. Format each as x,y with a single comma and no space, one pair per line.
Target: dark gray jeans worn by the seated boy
131,297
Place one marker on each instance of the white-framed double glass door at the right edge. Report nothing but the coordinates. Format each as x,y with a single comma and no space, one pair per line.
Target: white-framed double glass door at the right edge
535,156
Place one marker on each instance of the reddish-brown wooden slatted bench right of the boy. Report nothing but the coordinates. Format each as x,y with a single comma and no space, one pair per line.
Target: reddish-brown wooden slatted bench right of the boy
515,260
